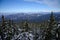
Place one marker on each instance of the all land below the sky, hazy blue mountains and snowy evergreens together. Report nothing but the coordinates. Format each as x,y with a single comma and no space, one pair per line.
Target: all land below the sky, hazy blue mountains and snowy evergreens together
30,27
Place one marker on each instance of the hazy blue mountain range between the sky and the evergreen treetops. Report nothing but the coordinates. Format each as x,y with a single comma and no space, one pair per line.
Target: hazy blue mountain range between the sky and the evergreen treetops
33,17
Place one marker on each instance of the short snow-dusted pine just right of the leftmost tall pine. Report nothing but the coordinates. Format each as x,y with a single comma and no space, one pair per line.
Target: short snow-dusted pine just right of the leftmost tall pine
10,31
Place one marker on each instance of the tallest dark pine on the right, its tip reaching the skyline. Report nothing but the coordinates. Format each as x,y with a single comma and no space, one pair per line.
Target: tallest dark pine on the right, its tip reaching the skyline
52,24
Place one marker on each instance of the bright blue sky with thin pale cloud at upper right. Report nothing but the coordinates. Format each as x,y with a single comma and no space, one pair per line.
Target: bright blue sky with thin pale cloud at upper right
29,5
